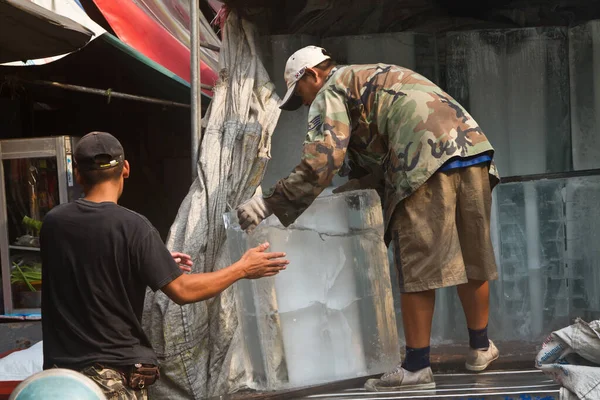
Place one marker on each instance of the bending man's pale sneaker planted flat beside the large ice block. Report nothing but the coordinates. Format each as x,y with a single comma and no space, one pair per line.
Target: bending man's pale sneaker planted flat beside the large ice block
401,379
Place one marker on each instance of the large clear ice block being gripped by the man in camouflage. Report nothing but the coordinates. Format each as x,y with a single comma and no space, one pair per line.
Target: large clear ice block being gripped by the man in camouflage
330,314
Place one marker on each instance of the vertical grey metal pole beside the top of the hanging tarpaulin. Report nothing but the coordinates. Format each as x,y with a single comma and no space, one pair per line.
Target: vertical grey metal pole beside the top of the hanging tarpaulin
196,88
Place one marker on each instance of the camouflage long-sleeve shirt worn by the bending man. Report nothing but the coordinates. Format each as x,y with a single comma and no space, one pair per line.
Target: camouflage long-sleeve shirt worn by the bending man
379,116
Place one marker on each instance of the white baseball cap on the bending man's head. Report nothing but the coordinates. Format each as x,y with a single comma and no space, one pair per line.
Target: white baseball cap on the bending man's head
295,68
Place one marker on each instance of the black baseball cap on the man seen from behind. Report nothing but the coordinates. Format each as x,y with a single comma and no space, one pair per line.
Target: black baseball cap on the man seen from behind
98,150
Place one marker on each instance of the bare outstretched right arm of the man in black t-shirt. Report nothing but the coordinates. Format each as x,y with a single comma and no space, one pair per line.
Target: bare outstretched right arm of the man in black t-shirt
255,263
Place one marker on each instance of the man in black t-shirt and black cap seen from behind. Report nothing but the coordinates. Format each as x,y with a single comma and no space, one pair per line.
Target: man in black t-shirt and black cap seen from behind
98,258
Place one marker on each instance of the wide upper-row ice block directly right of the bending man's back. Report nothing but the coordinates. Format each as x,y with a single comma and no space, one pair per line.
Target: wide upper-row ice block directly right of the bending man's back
515,83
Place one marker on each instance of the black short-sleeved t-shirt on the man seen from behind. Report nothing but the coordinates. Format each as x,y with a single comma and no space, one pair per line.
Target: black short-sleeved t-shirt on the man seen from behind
97,260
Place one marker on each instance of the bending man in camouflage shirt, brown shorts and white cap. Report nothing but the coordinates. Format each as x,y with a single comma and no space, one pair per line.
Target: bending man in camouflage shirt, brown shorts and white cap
432,165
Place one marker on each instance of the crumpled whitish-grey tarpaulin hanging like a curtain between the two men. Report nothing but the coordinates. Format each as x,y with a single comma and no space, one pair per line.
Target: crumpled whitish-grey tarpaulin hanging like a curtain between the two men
198,344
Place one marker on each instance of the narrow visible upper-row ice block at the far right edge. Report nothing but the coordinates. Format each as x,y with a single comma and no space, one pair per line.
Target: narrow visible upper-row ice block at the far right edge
584,59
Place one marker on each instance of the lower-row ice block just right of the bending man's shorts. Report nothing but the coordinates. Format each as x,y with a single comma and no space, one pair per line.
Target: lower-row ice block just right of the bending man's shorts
531,225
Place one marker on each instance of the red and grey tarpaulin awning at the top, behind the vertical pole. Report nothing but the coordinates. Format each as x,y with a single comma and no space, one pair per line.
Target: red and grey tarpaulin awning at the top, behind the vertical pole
159,29
